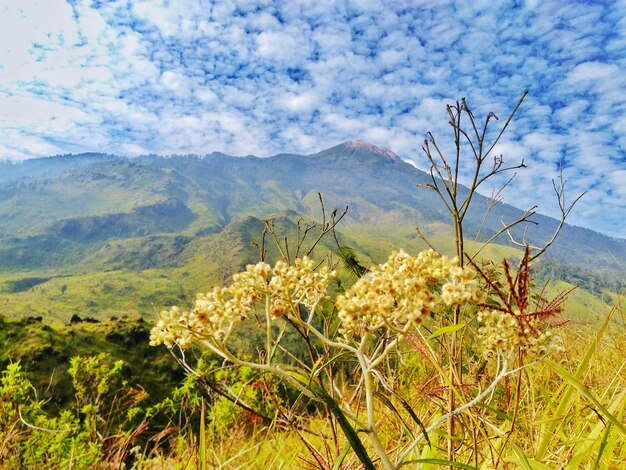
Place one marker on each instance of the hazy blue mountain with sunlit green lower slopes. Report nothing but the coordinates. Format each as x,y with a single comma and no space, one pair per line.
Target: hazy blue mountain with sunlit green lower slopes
173,223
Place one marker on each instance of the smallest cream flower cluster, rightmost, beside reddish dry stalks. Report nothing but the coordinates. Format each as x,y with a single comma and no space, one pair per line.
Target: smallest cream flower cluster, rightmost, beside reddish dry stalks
503,332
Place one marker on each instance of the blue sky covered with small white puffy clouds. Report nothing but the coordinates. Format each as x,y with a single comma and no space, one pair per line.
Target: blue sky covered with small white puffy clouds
241,77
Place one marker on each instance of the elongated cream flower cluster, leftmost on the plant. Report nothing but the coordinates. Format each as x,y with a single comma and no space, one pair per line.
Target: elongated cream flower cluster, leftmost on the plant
283,289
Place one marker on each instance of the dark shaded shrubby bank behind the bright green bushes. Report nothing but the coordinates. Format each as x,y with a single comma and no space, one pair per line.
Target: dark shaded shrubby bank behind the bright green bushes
45,353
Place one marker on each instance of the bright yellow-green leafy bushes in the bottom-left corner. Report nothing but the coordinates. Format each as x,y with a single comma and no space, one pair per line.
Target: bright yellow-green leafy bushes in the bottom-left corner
108,420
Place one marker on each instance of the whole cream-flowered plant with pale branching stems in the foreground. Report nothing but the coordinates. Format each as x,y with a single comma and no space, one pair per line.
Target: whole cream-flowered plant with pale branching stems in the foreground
373,317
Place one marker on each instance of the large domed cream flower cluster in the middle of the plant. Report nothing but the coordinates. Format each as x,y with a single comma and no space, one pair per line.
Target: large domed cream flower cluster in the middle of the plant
399,293
